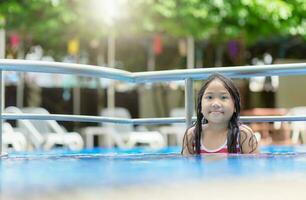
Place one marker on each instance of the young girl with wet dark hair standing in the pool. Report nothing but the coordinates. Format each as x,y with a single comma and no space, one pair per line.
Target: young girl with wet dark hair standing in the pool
217,129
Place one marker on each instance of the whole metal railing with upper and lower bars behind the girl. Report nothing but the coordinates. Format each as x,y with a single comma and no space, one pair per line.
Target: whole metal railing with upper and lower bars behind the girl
189,75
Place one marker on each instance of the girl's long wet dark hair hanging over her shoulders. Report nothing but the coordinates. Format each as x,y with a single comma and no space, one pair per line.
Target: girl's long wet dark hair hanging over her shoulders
193,144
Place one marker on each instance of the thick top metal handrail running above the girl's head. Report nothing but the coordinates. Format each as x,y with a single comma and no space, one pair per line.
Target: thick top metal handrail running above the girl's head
146,77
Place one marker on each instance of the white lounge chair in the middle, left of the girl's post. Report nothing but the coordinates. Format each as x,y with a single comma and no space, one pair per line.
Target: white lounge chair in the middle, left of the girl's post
125,136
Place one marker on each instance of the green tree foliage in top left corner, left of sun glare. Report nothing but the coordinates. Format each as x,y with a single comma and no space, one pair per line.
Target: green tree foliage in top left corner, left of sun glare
39,22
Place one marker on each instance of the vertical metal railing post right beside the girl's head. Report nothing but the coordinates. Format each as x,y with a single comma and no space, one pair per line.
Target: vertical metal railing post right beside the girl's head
189,104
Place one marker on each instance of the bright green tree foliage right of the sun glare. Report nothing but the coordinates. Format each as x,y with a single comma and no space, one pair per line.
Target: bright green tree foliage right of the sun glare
223,20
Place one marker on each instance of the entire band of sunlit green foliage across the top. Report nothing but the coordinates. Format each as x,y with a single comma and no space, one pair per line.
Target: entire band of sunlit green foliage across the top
52,23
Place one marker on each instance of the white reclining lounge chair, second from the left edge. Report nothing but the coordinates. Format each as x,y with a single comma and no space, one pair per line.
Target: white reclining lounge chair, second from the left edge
47,133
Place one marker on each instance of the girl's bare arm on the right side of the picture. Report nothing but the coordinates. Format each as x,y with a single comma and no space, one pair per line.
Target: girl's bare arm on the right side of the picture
248,141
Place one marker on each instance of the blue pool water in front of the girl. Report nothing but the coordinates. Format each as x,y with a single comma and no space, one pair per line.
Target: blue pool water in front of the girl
59,170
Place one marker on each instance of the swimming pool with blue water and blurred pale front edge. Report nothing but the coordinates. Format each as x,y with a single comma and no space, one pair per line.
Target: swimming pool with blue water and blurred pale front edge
144,174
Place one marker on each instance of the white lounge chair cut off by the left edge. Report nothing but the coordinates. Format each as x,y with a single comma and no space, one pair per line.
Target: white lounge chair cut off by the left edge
12,140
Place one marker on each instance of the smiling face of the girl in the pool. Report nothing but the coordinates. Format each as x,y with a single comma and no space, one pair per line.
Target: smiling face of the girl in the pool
217,103
